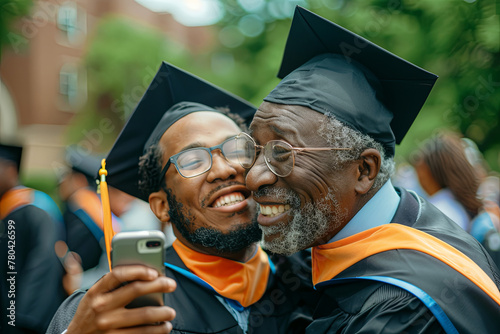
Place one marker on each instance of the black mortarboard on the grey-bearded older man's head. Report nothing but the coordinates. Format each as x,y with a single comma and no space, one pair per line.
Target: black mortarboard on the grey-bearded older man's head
332,70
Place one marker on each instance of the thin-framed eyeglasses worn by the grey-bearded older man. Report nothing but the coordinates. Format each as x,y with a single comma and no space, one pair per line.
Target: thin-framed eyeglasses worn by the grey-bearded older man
278,155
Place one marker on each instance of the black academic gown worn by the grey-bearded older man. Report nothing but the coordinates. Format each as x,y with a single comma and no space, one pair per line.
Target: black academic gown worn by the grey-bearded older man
372,307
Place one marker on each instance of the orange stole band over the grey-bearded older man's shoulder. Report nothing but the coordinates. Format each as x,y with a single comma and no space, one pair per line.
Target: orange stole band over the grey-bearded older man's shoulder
331,259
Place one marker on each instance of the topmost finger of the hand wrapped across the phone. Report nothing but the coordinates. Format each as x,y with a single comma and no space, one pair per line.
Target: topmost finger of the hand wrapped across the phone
122,274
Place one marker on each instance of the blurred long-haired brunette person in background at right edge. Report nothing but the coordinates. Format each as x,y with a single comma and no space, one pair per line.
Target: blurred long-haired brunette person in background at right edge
450,172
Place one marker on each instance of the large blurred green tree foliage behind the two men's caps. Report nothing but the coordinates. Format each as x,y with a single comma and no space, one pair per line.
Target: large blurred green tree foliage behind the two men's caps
457,39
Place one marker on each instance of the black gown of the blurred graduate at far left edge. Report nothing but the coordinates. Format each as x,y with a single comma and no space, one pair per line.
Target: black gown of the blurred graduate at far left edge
38,273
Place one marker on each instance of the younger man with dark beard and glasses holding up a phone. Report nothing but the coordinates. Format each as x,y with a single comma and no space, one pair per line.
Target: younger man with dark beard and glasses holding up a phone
189,173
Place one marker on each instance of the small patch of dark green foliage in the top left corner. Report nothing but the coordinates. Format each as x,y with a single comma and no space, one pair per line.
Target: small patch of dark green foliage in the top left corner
9,11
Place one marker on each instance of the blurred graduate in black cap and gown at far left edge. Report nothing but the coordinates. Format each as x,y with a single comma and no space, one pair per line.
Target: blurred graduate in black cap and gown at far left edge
32,280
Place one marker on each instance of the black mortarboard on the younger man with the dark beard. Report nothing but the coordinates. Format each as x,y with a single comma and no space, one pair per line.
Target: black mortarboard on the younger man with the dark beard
172,94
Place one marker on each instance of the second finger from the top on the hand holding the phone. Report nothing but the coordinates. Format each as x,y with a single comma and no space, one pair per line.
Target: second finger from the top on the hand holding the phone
125,294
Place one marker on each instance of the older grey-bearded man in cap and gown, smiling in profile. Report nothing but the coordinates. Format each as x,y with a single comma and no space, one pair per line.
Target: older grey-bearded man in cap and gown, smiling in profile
320,157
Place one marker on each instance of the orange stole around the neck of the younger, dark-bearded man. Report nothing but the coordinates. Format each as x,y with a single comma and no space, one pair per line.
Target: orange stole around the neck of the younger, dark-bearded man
244,282
